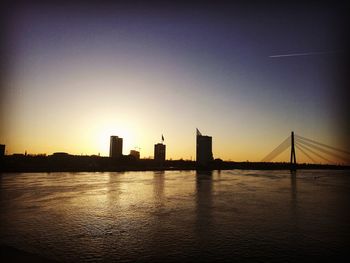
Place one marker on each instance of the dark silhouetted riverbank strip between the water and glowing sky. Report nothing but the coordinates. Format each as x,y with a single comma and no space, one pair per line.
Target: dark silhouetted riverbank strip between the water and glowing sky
73,163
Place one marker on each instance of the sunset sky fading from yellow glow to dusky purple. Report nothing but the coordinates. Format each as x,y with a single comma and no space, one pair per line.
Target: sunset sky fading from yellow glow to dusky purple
76,74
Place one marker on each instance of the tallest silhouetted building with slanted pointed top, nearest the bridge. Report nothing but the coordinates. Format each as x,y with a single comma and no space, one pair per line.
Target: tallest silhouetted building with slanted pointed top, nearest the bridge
204,154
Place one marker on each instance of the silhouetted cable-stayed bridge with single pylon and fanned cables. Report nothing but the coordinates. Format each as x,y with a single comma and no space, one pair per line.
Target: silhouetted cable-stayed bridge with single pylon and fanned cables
313,151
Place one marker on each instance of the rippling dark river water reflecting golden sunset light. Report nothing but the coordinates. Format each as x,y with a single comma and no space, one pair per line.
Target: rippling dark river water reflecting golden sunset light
177,216
